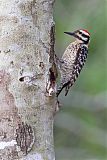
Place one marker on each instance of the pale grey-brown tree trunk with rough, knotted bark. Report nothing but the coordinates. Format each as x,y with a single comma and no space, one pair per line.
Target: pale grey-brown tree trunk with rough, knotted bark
26,61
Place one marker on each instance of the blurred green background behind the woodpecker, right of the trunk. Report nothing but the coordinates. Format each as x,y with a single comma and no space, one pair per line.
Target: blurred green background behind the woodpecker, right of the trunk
81,125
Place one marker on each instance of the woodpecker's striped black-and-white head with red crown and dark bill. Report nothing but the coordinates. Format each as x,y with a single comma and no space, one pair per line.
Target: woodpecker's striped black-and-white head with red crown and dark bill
82,36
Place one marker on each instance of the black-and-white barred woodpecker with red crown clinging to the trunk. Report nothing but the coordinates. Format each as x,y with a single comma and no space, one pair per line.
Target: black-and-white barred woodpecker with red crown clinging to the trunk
73,59
